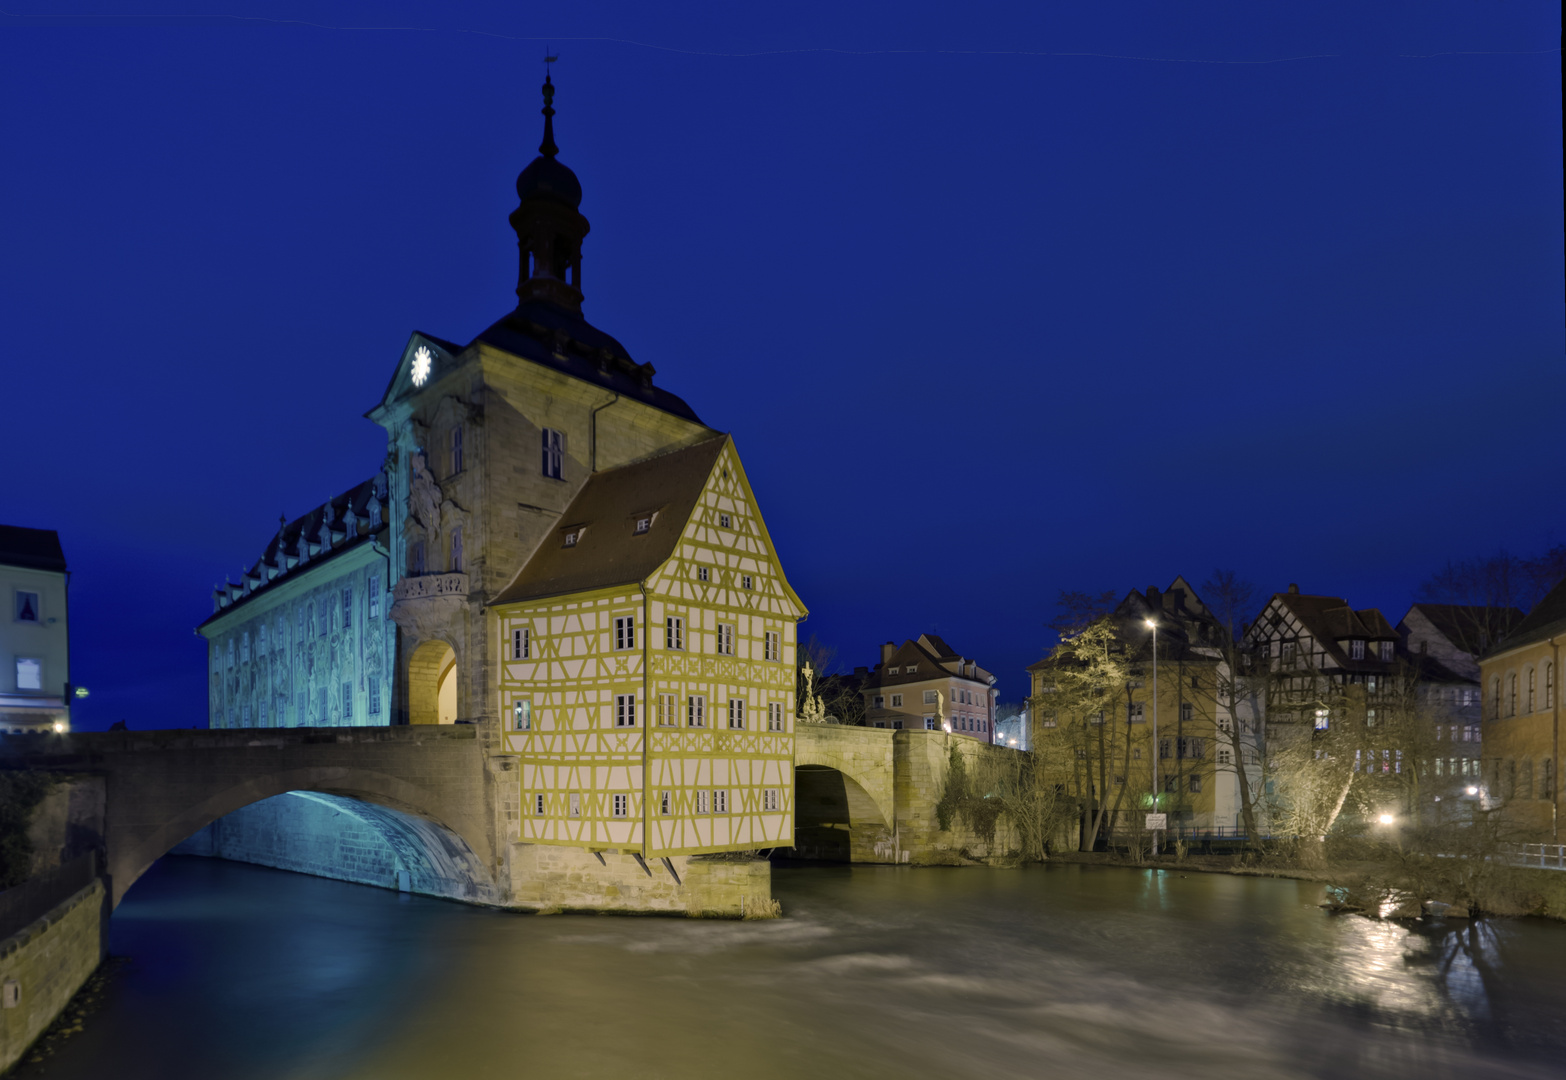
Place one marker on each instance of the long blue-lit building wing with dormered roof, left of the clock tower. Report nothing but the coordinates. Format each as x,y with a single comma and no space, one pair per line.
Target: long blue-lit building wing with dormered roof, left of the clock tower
303,639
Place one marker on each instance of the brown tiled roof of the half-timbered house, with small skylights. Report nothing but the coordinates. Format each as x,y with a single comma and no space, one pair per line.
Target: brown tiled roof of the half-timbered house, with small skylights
608,550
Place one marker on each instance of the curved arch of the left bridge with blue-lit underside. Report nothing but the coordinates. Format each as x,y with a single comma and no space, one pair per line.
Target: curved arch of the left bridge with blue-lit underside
442,854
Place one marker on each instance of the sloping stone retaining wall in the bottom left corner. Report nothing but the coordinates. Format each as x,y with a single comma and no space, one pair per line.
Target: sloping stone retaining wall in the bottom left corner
45,965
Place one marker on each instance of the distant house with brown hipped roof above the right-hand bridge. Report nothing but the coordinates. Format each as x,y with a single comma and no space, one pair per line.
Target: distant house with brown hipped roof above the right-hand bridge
925,685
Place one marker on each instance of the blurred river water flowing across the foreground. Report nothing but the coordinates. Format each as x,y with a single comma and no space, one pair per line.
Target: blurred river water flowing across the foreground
245,973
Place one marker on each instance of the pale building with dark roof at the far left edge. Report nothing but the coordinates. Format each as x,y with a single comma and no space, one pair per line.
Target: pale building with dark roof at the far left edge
35,638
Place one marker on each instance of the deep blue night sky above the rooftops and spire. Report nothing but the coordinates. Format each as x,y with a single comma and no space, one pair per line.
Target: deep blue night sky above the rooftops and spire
997,300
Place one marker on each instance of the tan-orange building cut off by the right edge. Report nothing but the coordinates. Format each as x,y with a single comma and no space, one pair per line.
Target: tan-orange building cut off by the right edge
1523,719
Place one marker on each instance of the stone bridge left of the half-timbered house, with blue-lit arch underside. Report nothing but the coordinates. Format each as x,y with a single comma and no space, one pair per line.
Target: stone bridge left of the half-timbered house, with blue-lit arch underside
424,791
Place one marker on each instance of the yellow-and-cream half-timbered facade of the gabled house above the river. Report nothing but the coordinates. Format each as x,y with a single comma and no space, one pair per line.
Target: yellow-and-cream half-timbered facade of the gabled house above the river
727,788
